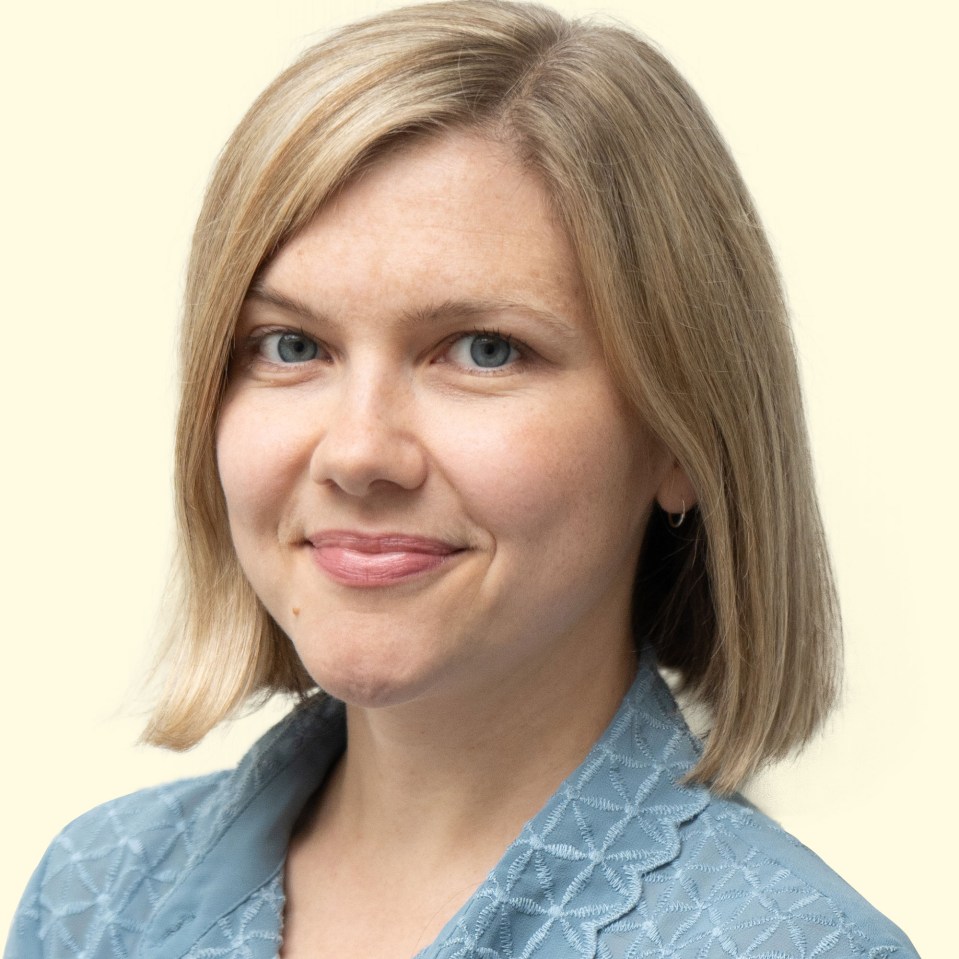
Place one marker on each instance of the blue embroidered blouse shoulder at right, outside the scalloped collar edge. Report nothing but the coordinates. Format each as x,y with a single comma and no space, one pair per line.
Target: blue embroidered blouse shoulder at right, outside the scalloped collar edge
741,885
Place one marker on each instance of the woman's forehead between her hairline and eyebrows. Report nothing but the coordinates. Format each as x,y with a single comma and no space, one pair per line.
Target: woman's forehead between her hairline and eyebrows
439,218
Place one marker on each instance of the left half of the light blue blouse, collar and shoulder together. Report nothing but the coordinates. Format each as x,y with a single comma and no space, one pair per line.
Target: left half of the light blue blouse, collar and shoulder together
169,860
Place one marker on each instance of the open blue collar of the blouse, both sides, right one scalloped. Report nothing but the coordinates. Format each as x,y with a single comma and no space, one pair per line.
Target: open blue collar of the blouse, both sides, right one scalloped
576,867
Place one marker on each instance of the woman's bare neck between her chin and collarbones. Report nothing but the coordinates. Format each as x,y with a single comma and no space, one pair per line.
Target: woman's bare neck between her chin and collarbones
425,778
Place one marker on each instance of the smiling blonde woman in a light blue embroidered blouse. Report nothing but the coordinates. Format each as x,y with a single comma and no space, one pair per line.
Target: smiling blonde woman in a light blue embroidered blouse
489,409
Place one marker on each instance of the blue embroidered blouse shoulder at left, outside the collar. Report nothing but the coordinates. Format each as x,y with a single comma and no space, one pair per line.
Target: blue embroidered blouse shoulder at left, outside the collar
121,857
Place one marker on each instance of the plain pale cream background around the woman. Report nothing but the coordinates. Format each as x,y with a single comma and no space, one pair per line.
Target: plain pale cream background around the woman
841,115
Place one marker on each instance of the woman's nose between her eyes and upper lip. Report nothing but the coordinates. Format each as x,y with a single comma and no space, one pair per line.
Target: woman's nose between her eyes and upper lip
368,438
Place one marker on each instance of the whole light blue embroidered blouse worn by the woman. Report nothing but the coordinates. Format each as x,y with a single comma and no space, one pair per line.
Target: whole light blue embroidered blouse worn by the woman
621,862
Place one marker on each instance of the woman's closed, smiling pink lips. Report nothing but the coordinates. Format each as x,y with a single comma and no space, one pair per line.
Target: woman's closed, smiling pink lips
363,560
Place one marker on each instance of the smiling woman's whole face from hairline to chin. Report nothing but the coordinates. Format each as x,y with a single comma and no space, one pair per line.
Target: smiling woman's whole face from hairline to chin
432,482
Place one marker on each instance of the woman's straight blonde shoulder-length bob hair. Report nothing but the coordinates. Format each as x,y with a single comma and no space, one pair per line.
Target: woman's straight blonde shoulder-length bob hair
739,600
